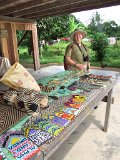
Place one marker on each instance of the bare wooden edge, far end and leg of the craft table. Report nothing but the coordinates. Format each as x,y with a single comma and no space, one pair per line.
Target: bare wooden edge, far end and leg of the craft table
94,100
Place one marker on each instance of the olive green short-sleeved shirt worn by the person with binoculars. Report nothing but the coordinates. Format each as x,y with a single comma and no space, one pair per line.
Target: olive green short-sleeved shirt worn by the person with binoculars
76,54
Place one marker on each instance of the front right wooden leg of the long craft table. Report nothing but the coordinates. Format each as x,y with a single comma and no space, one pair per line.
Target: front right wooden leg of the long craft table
108,108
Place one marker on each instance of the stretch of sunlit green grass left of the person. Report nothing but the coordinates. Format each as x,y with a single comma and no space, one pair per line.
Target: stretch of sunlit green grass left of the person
51,55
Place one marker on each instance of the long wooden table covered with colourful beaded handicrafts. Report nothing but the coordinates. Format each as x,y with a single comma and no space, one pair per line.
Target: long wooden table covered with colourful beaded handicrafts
72,96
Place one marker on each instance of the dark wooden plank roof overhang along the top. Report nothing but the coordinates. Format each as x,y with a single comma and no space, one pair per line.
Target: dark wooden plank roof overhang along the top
33,9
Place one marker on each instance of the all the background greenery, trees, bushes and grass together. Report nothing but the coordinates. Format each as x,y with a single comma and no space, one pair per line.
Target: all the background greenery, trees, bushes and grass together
51,28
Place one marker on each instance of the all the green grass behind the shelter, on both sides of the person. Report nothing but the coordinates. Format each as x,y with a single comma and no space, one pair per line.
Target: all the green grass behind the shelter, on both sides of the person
55,54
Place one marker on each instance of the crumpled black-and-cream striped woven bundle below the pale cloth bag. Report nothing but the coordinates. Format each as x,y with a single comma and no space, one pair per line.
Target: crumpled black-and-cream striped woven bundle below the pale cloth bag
26,100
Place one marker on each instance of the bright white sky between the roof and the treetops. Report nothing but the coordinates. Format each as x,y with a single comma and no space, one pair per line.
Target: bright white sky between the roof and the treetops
106,14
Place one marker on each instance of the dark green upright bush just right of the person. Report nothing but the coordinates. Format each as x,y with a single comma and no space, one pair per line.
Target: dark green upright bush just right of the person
99,44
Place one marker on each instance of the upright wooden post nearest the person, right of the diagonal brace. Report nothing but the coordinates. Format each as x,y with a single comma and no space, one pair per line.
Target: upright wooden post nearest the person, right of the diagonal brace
35,47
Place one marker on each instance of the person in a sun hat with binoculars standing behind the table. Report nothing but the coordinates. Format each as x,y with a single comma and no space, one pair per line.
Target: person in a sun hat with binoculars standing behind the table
76,54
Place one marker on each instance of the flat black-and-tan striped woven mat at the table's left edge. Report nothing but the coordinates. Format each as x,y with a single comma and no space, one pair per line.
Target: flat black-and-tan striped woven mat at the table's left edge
8,117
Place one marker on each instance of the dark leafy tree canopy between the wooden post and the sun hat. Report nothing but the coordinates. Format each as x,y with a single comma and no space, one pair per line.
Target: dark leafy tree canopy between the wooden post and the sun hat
53,27
